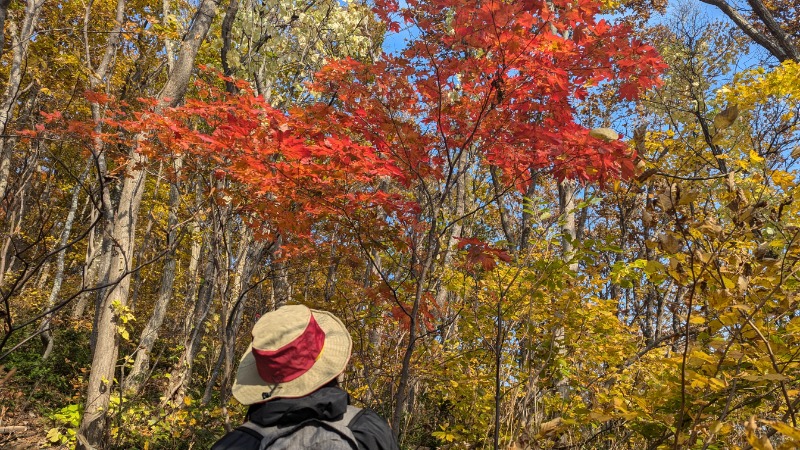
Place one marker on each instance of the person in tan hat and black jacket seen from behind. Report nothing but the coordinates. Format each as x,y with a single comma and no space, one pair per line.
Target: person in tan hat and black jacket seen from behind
289,377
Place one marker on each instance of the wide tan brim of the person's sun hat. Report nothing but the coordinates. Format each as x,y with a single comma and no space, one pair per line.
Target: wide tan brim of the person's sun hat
250,388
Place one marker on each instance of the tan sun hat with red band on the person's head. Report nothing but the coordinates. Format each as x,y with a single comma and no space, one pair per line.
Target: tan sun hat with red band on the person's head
295,351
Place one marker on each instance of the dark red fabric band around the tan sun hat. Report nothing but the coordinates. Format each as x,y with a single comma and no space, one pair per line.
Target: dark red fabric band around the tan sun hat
293,359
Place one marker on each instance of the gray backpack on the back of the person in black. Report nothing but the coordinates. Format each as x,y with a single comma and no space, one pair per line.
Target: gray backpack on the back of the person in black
310,434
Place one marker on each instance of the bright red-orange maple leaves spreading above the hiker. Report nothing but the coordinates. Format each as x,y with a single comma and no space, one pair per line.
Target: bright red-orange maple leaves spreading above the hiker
500,79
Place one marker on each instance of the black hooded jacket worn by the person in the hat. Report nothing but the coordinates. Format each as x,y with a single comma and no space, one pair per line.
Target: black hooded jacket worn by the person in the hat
327,403
